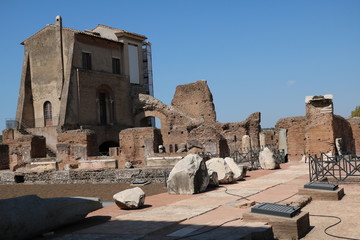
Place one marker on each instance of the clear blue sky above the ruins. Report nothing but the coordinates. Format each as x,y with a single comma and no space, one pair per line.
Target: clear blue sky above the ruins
257,55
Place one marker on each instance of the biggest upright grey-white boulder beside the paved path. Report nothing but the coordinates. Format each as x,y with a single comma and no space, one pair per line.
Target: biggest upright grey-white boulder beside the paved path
188,176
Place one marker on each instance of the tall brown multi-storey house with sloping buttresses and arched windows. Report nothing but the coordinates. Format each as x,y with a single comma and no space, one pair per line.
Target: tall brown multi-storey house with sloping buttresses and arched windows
88,79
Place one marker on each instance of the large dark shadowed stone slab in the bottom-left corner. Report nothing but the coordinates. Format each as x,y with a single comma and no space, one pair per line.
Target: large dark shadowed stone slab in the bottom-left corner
29,216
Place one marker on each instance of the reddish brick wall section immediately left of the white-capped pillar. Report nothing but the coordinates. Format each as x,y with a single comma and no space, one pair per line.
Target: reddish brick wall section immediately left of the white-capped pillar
295,136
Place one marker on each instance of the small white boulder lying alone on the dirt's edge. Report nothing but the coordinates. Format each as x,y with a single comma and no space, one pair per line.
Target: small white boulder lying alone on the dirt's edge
130,199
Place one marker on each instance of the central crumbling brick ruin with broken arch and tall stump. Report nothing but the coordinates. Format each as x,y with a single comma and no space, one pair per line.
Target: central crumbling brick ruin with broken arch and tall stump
187,125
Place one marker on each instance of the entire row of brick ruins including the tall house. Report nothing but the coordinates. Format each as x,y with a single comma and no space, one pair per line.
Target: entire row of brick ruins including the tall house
85,103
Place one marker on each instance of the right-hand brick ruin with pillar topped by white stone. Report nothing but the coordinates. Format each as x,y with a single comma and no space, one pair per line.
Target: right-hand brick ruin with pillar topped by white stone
317,132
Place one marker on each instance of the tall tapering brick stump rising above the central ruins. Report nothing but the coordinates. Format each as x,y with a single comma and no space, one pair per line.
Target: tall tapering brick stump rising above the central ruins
195,100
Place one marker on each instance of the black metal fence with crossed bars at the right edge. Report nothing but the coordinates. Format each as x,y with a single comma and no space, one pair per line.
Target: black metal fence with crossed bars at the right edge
337,167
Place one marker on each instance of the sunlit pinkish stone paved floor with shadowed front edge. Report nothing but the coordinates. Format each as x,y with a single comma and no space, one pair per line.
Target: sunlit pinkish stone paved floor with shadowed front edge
215,214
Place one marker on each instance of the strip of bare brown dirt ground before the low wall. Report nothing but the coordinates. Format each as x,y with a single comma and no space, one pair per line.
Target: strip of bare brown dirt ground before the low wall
103,191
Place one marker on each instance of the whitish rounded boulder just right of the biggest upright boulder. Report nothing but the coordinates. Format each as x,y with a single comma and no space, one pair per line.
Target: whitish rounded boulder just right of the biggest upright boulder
218,165
